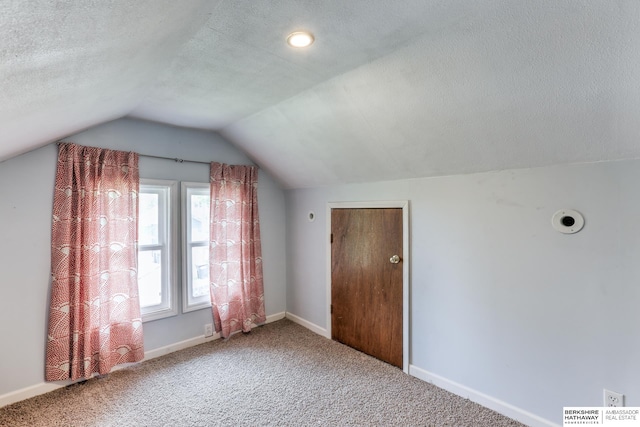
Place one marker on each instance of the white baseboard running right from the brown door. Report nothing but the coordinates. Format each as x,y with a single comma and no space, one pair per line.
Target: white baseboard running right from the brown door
497,405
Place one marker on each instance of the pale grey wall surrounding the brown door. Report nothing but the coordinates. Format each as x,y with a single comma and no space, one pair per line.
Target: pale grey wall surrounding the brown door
501,303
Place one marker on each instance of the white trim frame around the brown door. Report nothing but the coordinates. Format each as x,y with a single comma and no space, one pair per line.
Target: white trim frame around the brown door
404,205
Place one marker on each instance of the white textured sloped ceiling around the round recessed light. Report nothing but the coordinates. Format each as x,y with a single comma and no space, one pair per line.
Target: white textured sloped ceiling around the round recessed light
390,90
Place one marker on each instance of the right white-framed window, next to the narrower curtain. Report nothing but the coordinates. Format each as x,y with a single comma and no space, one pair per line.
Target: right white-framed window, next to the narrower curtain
195,231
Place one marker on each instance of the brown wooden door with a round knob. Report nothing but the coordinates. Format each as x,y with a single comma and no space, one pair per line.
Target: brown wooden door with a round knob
366,283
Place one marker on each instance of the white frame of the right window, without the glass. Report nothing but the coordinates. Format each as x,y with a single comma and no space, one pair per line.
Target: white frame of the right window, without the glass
186,190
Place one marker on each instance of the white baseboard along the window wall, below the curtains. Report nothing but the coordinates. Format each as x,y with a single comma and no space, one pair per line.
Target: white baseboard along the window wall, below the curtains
46,387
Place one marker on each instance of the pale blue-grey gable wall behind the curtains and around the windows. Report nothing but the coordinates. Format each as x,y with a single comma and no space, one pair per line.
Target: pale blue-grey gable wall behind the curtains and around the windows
26,196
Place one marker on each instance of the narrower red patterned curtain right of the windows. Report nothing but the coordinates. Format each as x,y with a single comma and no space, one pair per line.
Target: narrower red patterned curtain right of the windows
235,255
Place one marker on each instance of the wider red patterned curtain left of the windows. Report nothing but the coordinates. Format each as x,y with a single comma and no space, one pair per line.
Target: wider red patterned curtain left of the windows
94,314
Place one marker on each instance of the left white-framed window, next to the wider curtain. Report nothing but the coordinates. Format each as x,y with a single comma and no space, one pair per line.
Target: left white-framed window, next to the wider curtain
156,244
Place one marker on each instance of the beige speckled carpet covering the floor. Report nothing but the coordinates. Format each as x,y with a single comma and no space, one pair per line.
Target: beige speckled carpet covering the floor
278,375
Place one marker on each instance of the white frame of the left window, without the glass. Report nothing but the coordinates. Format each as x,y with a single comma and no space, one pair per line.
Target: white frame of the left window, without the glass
167,189
